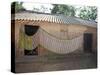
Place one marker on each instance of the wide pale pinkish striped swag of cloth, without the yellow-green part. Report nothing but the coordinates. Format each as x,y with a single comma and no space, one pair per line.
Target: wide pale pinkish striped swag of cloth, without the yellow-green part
58,45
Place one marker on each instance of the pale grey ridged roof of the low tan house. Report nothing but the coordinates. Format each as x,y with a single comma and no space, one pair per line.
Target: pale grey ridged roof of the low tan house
53,18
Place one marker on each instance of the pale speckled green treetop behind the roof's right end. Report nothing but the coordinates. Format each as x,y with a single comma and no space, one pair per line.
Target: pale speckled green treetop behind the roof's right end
89,13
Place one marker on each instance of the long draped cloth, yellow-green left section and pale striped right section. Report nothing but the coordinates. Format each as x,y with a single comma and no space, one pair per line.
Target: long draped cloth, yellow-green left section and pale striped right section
51,43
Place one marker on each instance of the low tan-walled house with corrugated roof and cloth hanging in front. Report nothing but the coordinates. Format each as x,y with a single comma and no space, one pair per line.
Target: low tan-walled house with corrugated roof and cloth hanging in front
37,32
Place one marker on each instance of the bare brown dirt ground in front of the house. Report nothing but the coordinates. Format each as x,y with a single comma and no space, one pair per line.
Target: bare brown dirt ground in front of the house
66,62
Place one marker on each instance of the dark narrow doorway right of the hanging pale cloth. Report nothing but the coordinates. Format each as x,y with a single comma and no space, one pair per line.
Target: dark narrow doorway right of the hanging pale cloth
88,40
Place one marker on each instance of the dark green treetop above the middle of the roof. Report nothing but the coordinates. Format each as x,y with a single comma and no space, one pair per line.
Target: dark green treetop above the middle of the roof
63,9
